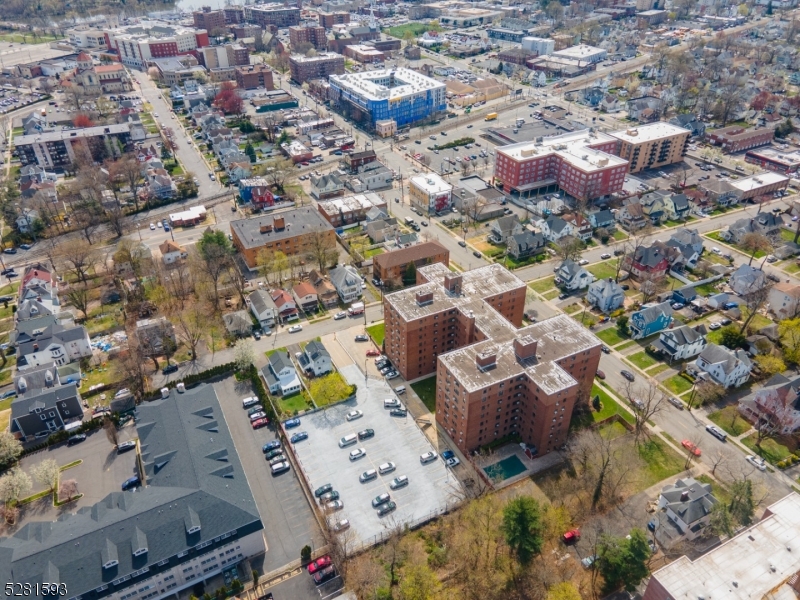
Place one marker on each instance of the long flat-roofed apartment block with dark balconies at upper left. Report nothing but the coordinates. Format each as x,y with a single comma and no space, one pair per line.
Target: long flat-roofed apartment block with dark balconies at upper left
57,149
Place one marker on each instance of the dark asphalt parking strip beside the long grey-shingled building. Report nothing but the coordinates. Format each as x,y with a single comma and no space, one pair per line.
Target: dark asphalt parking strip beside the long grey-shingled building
289,522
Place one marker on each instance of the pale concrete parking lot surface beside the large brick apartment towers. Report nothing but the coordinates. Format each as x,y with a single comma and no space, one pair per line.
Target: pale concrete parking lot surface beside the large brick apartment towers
431,490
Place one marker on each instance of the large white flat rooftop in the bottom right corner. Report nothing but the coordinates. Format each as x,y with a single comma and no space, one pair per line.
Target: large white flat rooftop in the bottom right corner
755,564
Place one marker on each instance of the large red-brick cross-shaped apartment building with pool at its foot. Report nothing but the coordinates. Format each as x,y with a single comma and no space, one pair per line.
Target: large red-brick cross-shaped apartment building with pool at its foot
493,378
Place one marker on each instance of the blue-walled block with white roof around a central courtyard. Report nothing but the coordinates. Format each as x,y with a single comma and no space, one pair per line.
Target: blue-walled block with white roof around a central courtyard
401,95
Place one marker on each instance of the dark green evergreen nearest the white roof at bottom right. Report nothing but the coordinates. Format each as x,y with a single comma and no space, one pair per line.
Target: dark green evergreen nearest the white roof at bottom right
623,562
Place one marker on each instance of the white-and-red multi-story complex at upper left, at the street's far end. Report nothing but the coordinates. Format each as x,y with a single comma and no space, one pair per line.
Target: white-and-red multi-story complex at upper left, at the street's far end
137,44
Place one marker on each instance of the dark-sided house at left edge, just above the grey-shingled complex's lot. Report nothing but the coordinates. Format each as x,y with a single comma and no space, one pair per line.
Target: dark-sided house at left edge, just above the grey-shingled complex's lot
38,411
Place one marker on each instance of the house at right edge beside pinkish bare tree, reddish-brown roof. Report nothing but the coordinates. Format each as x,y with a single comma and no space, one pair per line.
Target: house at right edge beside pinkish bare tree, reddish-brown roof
777,403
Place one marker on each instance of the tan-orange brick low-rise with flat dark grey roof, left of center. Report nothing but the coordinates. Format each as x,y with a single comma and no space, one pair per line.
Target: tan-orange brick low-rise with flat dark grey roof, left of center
291,232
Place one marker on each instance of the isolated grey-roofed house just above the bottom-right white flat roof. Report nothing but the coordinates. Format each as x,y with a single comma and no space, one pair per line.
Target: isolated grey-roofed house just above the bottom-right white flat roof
688,505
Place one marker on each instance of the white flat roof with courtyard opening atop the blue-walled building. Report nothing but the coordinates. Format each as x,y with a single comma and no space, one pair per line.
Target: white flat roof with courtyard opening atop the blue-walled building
386,83
